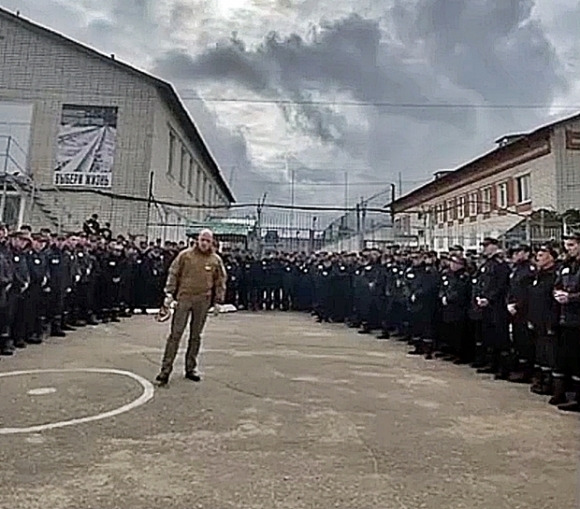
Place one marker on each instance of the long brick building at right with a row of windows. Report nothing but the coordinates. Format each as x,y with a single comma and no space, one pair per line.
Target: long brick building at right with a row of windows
510,192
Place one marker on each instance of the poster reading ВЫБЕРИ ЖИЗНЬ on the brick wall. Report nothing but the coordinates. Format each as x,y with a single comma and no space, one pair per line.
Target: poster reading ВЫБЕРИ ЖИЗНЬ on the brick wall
86,146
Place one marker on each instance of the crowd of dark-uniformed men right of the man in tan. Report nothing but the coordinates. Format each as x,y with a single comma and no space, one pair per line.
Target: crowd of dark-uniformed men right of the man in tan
514,315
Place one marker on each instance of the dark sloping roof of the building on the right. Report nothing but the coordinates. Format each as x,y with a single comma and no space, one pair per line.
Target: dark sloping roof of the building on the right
454,179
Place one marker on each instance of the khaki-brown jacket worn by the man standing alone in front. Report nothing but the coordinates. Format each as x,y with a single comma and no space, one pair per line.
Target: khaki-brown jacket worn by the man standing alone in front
194,274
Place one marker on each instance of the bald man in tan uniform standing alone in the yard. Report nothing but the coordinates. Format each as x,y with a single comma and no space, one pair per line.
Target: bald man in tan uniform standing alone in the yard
195,277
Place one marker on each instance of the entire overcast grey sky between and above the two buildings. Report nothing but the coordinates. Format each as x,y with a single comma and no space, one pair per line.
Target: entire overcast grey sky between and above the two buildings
330,74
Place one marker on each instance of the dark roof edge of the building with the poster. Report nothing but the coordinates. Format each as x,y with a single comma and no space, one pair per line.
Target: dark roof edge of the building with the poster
165,90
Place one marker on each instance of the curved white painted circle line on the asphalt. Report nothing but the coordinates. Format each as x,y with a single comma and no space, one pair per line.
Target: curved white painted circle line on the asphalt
146,395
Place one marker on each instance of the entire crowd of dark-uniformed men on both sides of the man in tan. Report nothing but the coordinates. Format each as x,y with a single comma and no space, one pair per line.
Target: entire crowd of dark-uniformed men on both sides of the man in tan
515,315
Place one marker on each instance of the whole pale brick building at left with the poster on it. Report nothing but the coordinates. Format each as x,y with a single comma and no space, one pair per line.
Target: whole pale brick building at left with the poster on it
97,134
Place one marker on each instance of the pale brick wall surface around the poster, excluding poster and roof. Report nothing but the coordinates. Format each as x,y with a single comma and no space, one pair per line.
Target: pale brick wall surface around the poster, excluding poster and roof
49,73
